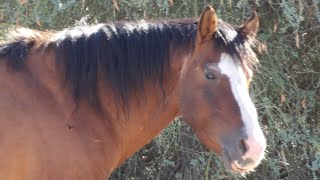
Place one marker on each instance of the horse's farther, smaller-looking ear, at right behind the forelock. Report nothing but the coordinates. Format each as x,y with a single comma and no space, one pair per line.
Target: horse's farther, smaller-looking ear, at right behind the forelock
250,27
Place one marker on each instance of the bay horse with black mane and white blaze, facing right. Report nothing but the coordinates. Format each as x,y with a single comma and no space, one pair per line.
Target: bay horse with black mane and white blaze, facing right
76,104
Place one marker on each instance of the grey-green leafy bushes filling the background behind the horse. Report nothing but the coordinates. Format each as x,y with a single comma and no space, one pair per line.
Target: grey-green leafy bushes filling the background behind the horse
286,87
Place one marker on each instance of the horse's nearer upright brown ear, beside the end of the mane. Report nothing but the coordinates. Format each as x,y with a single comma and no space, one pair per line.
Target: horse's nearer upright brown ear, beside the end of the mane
207,25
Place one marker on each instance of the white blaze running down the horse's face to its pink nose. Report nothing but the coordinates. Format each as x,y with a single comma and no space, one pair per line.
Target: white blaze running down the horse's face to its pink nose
233,70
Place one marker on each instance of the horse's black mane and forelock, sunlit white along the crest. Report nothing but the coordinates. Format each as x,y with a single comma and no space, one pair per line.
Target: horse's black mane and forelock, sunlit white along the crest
126,54
